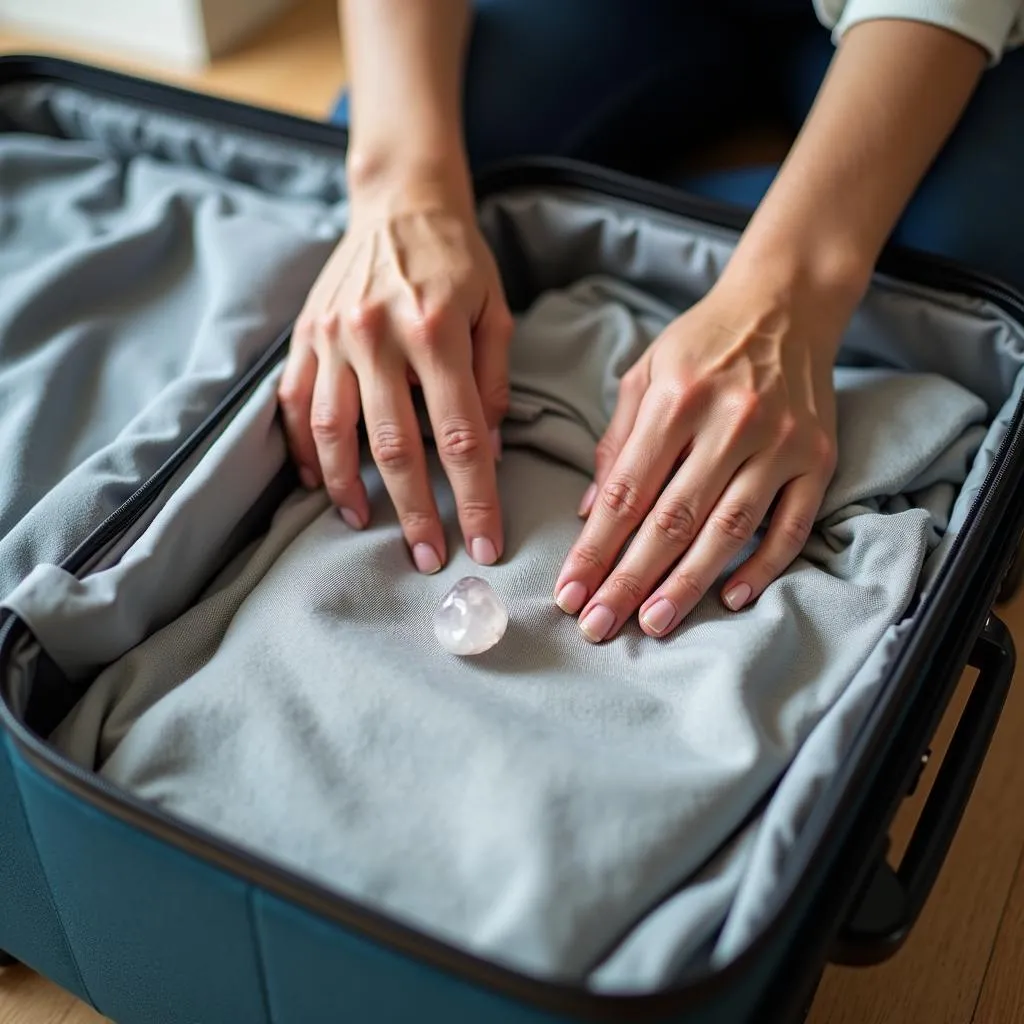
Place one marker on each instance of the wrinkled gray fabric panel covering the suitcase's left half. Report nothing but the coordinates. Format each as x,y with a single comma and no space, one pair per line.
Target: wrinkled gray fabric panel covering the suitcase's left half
136,292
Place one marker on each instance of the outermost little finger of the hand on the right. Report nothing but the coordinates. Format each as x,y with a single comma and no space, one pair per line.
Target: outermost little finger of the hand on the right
791,527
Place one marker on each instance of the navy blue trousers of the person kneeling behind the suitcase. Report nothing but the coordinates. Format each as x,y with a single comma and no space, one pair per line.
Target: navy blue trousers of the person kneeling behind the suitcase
645,86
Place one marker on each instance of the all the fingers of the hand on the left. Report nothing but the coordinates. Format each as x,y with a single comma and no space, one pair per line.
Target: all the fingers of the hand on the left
330,440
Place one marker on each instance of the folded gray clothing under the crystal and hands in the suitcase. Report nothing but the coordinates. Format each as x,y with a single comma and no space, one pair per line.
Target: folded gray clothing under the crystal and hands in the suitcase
538,804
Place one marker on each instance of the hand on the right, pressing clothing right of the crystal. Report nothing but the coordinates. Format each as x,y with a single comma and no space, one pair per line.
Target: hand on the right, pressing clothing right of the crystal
732,408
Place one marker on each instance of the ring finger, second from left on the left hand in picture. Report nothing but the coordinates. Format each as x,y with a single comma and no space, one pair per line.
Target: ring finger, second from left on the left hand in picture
334,422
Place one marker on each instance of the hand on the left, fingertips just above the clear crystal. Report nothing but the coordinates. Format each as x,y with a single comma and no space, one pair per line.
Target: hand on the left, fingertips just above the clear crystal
412,296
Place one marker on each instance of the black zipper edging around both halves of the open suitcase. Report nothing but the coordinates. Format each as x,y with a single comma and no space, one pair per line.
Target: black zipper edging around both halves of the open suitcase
968,572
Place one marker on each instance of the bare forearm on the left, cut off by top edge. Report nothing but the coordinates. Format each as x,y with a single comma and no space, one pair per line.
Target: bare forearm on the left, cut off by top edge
406,66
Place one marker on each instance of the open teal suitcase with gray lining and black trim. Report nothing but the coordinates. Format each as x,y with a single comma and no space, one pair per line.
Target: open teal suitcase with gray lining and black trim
130,367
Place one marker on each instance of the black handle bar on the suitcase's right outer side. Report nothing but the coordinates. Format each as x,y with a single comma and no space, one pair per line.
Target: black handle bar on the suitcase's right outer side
891,902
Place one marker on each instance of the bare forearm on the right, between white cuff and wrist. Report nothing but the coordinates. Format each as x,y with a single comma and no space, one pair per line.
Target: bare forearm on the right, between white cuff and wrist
892,97
